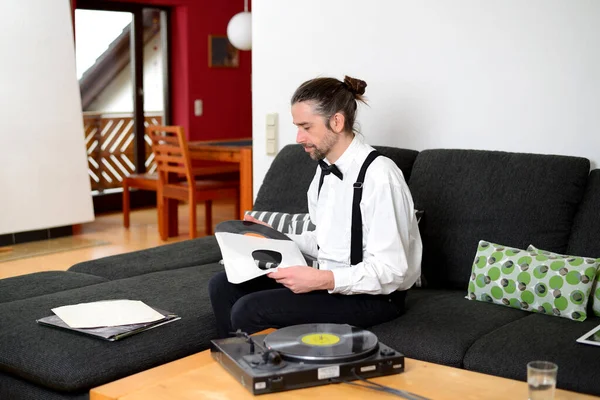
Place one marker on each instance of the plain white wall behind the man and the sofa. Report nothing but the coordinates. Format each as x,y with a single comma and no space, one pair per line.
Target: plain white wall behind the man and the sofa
503,75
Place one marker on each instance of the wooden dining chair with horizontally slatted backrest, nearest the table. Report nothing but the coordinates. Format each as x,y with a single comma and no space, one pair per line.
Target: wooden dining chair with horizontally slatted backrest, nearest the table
172,157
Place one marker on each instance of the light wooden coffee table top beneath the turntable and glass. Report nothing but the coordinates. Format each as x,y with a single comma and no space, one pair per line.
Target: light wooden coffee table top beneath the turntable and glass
200,377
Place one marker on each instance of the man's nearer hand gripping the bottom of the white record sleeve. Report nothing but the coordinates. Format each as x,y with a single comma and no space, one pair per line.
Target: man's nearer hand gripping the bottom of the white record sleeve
303,279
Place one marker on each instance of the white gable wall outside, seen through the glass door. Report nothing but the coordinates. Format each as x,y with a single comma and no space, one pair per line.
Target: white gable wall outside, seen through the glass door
118,95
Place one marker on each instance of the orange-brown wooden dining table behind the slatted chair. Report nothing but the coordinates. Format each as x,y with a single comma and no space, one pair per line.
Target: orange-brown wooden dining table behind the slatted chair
237,151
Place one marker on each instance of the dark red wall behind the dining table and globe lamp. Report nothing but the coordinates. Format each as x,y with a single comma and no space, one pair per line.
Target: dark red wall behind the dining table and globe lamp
225,92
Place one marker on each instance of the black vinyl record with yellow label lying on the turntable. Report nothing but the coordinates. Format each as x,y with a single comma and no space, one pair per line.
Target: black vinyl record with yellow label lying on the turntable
322,343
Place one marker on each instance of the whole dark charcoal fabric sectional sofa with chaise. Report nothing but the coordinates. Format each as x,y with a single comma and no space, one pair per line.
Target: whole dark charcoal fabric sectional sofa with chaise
515,199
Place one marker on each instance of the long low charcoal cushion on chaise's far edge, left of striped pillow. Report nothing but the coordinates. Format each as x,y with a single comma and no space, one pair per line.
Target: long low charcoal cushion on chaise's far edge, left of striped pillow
184,254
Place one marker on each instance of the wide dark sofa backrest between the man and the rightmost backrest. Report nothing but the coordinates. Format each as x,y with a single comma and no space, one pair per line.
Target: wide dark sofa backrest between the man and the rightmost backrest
513,199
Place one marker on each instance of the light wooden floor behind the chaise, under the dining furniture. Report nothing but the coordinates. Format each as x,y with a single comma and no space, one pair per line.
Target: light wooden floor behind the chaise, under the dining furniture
142,234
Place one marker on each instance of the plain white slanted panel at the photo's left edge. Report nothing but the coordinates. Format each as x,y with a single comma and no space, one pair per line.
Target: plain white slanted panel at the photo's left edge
43,168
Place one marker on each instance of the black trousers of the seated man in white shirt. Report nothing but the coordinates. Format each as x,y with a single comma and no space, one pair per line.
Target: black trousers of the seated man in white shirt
262,303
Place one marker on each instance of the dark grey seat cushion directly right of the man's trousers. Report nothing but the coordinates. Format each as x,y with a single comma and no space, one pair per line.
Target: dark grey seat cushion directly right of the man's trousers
440,326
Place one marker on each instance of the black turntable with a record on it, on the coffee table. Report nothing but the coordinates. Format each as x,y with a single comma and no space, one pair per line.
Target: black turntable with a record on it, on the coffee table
306,355
